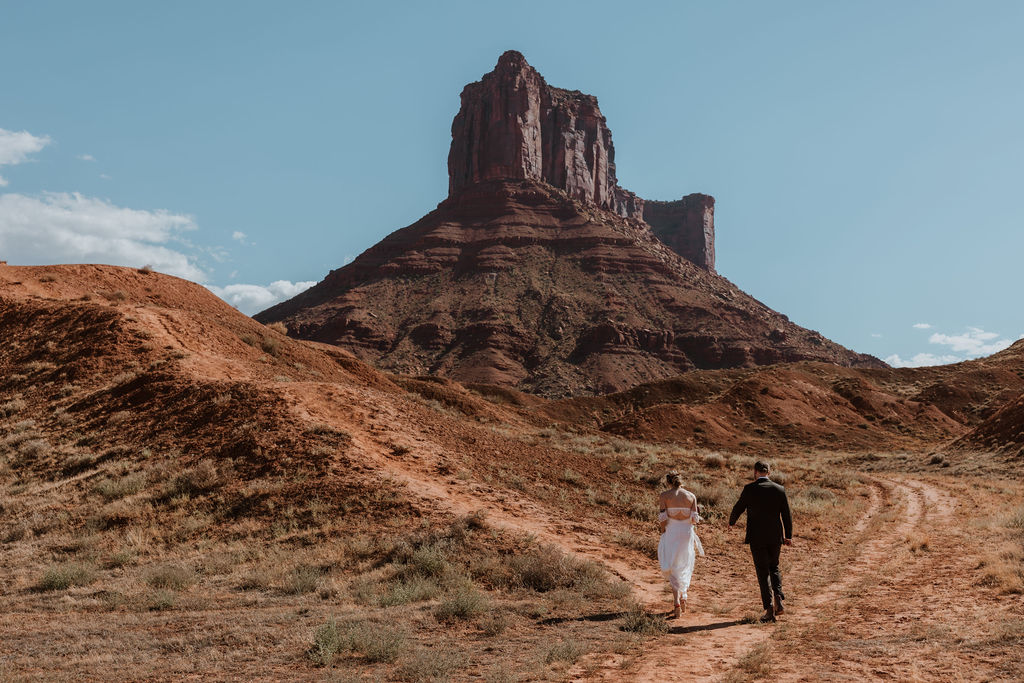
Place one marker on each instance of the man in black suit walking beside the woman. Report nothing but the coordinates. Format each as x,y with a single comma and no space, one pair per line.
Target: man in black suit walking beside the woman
769,527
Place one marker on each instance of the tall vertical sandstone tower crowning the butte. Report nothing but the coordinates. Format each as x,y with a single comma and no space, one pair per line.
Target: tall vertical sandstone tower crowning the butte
514,125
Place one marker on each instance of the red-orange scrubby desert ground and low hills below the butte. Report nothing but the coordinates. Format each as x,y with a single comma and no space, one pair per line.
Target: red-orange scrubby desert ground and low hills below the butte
187,493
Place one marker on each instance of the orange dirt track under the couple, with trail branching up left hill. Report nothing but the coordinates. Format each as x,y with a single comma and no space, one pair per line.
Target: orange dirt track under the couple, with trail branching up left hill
851,596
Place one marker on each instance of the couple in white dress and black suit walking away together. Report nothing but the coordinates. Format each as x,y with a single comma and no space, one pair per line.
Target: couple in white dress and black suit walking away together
770,527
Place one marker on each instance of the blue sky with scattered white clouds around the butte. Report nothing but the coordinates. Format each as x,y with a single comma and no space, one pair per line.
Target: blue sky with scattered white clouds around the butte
867,158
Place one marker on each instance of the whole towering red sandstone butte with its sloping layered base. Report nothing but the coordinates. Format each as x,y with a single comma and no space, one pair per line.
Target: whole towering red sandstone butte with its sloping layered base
539,273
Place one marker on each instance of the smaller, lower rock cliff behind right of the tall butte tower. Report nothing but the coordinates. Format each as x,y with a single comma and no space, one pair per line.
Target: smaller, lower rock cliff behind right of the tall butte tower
688,227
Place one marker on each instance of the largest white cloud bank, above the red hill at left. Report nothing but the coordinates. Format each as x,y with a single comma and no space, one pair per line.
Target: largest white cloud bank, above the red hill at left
62,228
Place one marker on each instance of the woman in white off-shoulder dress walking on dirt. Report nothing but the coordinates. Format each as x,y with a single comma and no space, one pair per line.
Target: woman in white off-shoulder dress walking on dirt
679,545
